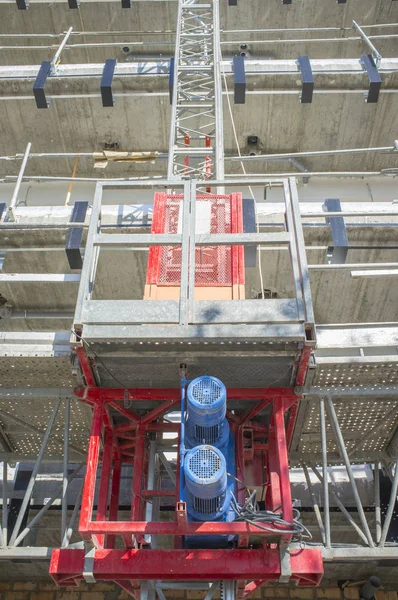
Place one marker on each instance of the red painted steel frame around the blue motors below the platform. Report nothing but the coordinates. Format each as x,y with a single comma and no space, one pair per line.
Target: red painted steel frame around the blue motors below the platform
111,445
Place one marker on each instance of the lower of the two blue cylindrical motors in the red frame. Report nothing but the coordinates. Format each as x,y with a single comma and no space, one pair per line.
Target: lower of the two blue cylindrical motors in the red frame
205,471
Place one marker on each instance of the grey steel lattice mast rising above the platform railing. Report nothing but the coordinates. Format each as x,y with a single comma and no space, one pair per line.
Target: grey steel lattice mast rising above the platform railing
196,148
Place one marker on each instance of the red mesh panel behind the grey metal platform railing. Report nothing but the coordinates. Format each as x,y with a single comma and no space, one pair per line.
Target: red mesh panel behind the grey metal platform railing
214,265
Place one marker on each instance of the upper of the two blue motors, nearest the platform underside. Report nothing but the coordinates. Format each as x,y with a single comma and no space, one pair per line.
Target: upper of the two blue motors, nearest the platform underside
207,405
